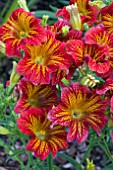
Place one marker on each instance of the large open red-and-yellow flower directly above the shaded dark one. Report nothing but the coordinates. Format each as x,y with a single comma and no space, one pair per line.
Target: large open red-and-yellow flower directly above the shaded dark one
40,61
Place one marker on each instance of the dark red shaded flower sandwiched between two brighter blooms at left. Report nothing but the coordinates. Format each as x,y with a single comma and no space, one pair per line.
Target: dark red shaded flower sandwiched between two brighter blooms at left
39,96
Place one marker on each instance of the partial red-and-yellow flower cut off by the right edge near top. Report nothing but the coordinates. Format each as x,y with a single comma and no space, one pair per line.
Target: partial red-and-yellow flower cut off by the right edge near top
107,18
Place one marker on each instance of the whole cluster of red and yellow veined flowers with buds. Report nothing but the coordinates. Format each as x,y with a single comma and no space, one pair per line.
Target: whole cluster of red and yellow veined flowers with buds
66,71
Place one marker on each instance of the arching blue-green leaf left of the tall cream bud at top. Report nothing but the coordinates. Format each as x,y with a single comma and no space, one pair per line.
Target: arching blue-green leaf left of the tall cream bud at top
40,13
